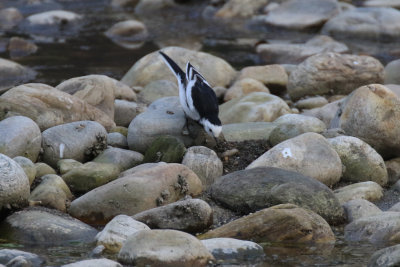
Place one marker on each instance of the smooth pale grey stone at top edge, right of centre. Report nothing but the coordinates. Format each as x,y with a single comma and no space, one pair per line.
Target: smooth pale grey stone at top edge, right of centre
302,14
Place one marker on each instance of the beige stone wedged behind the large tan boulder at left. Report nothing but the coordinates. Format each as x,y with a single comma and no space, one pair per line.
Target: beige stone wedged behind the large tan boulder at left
96,90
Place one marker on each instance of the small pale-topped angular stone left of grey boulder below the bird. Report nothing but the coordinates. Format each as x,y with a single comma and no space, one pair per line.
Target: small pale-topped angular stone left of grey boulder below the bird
126,111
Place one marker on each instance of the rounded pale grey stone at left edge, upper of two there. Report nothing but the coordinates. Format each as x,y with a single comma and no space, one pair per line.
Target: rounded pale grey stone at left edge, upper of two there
20,136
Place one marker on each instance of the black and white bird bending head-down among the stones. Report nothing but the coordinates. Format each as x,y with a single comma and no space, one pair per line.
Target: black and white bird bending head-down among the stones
196,96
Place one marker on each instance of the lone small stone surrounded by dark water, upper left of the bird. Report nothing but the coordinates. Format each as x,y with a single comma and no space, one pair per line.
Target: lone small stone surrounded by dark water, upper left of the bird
129,34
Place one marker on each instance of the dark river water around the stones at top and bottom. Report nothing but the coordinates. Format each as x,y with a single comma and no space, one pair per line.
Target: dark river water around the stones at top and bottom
88,51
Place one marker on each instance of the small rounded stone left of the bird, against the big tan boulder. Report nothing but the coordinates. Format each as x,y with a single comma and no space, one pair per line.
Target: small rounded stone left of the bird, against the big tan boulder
158,89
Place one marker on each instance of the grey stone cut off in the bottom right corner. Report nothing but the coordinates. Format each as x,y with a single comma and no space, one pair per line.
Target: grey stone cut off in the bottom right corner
389,256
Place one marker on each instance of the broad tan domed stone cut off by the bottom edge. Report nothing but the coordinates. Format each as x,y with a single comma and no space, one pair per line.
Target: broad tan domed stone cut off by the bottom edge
169,248
